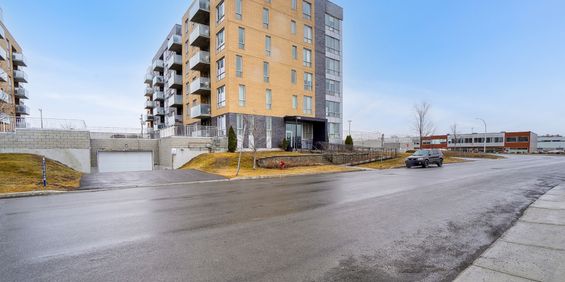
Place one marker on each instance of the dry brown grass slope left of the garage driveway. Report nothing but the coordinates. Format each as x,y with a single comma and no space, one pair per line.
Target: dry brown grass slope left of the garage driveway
22,173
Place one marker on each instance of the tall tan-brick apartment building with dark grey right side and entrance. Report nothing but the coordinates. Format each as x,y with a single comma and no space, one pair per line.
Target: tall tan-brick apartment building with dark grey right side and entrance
269,69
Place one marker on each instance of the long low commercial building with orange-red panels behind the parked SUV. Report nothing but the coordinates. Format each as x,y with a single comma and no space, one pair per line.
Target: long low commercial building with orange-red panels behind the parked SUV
499,142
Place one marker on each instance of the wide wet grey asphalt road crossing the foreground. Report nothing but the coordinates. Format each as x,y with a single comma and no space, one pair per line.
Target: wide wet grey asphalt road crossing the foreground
402,225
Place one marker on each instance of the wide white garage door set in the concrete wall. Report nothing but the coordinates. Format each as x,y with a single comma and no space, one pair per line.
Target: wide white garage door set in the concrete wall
124,161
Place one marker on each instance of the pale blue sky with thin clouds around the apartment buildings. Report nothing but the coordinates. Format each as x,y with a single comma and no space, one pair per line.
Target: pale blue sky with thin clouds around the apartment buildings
502,61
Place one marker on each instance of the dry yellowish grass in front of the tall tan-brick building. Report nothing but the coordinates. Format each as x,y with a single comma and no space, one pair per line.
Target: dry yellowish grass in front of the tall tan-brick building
225,164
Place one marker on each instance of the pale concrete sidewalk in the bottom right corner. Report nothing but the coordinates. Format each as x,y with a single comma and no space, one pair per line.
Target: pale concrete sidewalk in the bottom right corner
532,250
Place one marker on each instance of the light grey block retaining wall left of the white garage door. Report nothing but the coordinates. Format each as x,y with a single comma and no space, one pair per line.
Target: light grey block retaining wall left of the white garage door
71,148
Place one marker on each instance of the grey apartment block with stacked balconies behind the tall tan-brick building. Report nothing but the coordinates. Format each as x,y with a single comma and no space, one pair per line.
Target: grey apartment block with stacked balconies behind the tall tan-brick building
164,86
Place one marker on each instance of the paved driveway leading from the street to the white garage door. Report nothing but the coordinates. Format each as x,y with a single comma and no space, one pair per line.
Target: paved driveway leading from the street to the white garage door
143,178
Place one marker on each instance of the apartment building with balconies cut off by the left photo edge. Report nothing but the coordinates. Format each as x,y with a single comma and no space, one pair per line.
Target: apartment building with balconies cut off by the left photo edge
12,77
